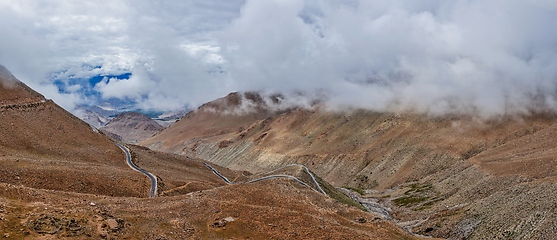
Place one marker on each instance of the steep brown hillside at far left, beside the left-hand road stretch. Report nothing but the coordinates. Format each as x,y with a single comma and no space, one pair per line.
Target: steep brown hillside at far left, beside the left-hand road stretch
43,146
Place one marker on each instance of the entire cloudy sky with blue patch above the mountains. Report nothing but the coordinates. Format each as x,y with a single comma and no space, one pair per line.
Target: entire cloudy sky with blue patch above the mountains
489,57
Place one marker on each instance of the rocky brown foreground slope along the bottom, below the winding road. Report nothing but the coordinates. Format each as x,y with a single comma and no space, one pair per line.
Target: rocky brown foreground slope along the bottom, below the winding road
277,209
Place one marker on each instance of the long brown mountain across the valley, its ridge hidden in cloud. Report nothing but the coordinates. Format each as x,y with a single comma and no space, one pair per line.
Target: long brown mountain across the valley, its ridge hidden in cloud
451,176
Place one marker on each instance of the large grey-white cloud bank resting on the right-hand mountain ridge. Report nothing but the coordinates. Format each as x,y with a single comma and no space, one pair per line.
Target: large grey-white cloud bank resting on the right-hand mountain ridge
490,57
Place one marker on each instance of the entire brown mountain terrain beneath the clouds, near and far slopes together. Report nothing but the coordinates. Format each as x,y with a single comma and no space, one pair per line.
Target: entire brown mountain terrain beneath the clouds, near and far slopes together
250,165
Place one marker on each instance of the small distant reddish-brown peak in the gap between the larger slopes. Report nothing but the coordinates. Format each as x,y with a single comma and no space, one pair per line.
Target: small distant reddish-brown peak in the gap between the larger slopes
132,127
